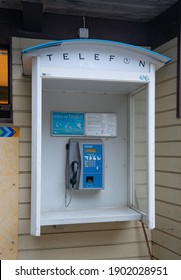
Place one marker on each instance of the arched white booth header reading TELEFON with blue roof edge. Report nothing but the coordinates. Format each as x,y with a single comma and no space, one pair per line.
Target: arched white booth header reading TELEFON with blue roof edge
94,54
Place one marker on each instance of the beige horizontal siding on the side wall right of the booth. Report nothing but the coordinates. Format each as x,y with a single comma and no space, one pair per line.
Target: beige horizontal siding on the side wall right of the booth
167,235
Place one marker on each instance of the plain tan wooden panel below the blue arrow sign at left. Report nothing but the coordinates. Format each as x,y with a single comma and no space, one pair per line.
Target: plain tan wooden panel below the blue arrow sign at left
9,168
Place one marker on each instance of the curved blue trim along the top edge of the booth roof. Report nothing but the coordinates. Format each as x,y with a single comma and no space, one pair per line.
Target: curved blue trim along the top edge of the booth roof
57,43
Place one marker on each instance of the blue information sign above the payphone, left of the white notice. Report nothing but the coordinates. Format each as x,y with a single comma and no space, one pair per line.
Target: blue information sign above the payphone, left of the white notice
65,124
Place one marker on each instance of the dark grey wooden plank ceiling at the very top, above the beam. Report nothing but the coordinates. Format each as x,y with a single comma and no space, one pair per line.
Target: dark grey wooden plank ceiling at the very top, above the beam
129,10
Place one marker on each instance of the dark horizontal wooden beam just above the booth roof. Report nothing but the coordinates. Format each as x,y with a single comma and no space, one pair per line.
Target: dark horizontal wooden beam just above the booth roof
60,27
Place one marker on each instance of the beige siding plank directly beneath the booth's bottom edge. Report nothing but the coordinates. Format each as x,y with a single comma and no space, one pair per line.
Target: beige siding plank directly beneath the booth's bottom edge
81,239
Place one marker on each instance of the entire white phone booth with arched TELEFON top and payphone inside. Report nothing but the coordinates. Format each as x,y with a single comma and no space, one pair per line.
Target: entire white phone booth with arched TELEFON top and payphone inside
100,92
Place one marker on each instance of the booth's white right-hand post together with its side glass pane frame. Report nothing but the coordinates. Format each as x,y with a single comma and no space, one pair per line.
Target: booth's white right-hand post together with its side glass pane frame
149,217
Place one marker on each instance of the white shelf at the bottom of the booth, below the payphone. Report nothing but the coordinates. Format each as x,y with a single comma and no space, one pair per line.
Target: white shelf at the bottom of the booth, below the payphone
78,216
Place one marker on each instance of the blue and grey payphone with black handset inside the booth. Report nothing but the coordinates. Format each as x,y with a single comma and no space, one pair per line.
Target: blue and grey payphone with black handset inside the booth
84,167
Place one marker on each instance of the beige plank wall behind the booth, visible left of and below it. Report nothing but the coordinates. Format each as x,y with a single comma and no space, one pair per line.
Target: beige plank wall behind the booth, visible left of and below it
124,240
